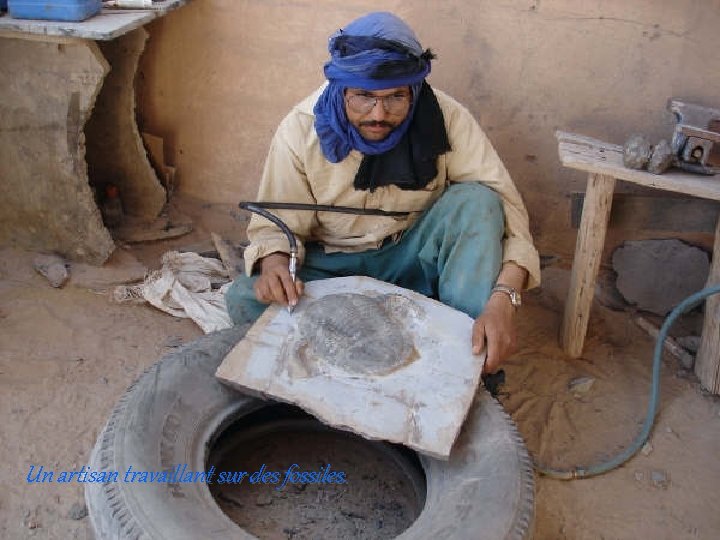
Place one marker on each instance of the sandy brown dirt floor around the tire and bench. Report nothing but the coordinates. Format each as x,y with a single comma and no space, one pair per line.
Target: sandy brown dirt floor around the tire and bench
67,355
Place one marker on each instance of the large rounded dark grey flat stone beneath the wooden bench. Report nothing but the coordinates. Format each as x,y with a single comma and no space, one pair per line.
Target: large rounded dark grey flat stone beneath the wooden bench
656,275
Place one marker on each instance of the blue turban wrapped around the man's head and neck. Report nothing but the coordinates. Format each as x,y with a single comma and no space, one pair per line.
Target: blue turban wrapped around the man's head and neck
374,52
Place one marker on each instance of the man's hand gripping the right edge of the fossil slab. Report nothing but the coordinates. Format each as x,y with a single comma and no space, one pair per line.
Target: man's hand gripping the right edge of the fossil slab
495,325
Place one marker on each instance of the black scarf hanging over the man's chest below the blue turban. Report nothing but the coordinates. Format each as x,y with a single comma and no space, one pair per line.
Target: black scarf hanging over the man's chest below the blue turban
412,162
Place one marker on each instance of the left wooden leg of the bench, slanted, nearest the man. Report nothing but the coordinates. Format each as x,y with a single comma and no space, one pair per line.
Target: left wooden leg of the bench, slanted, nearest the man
588,252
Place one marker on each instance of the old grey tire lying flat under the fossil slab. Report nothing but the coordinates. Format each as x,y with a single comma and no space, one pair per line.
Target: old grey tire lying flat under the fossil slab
174,411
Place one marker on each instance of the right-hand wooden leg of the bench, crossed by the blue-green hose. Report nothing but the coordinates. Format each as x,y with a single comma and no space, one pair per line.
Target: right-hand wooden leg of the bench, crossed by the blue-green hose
707,363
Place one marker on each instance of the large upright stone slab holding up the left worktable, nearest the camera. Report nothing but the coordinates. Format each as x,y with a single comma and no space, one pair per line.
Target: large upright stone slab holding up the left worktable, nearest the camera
48,92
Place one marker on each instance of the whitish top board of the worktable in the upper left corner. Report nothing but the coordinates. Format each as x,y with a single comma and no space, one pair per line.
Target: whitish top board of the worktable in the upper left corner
108,24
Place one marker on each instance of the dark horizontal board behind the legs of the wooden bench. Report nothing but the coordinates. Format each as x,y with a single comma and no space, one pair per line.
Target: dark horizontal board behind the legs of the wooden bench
674,213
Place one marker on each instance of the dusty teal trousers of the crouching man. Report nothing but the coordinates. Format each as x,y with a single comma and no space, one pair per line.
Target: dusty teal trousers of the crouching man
453,253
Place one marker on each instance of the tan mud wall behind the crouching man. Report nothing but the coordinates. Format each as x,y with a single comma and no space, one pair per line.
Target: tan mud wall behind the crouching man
218,75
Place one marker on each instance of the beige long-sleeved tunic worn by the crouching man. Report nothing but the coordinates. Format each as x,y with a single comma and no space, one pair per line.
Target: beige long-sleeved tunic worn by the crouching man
296,171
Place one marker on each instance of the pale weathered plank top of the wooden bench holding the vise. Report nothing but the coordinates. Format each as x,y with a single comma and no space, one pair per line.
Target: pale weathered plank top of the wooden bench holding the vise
595,156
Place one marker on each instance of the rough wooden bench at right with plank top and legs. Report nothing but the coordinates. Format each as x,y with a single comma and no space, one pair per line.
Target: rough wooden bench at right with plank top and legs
603,163
